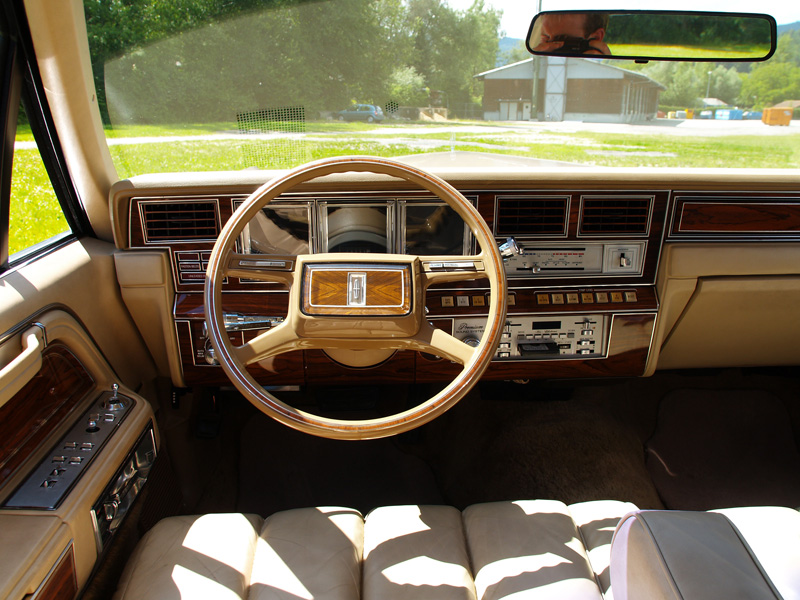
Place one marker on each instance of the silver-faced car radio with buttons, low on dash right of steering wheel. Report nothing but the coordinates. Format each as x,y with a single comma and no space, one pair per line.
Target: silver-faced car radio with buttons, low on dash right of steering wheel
537,338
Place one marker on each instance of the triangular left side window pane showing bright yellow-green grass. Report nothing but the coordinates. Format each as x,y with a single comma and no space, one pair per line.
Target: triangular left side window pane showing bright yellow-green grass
35,215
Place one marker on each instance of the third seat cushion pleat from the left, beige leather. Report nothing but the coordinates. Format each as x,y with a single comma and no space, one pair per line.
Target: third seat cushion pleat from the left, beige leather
416,552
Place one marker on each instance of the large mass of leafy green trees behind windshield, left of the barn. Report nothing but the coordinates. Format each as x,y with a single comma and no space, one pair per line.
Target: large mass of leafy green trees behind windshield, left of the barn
207,60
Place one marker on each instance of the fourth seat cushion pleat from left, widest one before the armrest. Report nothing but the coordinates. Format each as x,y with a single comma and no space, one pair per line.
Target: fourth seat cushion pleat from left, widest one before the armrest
530,548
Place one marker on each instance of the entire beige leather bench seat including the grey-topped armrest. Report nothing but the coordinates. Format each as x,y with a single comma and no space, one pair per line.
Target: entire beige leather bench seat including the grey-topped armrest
535,549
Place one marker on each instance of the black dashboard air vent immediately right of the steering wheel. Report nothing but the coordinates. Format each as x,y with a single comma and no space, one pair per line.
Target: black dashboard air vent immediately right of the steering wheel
520,216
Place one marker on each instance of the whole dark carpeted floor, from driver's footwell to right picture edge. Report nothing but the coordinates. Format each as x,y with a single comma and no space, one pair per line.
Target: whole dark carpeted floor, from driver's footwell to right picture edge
708,447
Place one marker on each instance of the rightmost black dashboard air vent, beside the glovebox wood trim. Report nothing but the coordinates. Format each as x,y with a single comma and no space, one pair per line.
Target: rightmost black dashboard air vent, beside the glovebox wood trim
615,216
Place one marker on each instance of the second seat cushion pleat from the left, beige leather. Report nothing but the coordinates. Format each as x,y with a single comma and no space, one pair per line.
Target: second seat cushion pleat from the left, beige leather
309,553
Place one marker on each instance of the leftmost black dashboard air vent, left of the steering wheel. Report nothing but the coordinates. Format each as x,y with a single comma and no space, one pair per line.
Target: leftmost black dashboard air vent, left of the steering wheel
190,220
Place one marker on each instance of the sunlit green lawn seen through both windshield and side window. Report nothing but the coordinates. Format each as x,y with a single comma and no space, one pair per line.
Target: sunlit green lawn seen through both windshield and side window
36,215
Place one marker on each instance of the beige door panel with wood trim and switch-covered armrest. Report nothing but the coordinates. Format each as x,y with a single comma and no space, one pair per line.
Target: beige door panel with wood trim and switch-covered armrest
54,405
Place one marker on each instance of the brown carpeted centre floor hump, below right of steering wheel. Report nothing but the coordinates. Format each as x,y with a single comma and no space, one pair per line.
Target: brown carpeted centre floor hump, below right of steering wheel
514,443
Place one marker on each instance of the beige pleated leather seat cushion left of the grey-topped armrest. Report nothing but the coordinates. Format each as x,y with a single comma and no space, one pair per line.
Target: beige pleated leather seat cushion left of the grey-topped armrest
539,549
